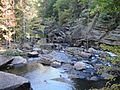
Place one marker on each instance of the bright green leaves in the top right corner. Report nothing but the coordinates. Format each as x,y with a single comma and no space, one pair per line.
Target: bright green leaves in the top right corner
103,5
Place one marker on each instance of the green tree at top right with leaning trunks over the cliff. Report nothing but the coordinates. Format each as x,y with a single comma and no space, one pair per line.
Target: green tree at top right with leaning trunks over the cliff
106,11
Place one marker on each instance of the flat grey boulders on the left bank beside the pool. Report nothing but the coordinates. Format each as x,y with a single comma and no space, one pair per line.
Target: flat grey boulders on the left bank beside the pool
10,81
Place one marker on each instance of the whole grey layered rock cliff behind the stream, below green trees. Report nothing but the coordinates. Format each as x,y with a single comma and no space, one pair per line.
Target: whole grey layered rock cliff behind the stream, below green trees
77,34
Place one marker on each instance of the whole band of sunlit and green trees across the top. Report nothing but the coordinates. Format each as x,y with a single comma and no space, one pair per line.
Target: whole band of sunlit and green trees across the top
26,15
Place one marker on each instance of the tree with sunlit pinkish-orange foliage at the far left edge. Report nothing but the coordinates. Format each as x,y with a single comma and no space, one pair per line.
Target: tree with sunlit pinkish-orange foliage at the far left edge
8,19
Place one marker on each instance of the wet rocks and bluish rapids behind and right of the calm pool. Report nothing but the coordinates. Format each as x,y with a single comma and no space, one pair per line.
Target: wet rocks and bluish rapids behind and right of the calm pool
78,62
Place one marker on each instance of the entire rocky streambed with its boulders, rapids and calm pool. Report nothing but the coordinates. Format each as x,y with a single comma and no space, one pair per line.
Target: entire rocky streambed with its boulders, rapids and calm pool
62,68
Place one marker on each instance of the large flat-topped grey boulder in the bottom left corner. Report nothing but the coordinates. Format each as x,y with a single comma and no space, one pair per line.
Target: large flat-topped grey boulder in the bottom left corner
13,82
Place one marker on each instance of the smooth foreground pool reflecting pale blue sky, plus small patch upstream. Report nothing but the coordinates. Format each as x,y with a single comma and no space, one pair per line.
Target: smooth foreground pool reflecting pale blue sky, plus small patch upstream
49,78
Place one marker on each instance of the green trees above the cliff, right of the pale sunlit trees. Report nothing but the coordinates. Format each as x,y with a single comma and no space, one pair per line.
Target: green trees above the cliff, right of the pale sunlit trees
63,10
